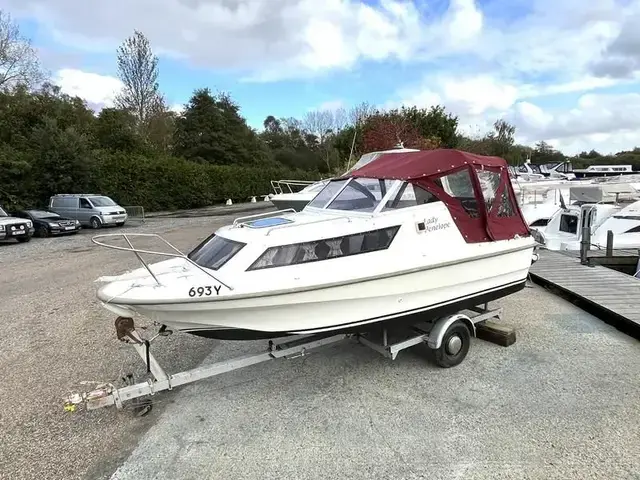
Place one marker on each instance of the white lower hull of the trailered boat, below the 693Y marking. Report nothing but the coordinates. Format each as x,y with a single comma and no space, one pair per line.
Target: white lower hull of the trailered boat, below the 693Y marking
395,299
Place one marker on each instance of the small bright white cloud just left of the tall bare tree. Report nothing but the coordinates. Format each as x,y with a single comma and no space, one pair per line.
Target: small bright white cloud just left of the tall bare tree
98,90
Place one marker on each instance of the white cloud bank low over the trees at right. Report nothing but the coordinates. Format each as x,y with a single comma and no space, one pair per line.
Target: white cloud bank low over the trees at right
608,121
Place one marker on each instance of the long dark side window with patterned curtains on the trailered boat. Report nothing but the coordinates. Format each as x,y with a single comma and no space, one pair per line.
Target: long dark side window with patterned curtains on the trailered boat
325,249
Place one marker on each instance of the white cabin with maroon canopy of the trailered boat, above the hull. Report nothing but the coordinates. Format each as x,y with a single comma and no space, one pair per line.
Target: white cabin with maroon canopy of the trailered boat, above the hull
379,206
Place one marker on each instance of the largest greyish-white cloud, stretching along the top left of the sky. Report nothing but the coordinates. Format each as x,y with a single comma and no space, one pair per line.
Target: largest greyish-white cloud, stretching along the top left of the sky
262,39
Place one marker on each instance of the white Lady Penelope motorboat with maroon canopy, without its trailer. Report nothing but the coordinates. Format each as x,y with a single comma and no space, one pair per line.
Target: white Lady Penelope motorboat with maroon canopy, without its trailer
410,234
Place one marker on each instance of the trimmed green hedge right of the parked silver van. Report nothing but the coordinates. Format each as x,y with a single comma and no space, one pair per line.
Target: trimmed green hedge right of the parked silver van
171,183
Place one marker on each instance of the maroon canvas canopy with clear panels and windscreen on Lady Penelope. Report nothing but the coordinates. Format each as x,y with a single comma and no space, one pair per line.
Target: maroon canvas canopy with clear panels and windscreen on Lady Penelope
475,188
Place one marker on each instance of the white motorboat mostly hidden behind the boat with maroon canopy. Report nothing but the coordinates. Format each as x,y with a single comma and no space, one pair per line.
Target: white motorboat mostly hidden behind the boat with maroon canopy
283,199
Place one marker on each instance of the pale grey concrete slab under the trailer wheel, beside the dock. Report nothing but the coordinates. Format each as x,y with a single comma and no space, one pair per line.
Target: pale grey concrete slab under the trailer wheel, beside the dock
561,403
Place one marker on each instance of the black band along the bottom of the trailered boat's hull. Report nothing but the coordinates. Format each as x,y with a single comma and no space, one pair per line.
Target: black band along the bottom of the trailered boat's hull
404,319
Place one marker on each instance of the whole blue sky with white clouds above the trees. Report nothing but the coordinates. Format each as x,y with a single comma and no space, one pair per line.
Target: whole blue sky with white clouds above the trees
563,71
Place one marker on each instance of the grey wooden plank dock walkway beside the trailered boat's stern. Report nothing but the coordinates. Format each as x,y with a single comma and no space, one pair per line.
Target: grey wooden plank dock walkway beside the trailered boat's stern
615,296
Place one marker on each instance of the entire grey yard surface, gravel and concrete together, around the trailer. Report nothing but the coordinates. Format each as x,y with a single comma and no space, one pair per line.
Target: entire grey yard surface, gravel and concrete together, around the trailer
560,403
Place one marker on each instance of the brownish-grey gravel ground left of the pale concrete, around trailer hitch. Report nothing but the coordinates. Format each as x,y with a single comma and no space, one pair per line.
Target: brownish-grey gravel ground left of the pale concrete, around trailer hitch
57,336
